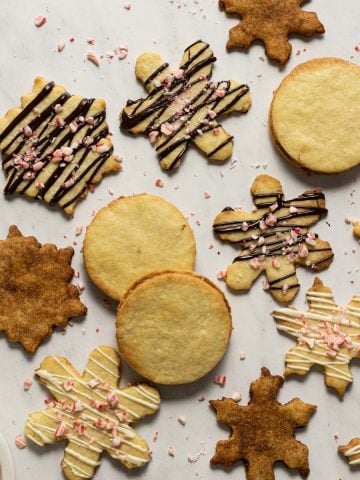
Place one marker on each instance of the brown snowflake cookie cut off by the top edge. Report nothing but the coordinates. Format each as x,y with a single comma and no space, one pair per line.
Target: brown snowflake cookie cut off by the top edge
270,21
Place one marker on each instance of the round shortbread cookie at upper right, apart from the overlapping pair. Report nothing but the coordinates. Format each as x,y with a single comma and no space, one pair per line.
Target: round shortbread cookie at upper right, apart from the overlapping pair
315,115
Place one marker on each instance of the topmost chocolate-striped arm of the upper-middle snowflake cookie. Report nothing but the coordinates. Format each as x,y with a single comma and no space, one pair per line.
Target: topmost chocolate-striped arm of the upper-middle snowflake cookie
197,62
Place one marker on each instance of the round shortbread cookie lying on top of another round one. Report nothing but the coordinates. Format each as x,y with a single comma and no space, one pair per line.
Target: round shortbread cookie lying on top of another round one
173,327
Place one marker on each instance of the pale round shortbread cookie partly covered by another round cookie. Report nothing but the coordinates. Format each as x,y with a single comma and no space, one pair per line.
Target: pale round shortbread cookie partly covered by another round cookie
134,236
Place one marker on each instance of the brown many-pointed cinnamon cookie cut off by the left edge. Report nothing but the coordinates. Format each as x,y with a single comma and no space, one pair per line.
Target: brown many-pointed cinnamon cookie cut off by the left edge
35,290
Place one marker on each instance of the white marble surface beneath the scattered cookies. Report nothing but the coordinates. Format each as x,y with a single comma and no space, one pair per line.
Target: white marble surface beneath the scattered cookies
160,25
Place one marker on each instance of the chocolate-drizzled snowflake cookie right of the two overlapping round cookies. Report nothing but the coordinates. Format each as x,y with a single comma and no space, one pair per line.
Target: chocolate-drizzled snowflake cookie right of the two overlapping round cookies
274,238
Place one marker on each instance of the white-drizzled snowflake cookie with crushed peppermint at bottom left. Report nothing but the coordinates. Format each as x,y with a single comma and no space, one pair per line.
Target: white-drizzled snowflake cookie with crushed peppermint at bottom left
92,414
